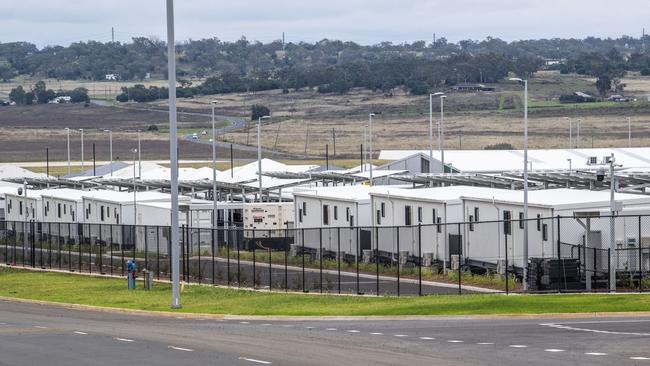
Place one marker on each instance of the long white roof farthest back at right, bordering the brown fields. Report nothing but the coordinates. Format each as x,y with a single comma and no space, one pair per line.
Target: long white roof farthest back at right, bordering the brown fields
490,161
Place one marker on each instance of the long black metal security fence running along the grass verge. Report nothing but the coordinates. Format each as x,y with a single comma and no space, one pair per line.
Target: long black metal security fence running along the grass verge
565,254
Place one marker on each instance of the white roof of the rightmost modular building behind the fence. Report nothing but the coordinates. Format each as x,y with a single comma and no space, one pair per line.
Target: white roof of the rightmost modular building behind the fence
563,198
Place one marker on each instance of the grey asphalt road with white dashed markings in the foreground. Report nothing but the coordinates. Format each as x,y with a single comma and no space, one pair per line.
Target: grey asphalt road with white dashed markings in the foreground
39,334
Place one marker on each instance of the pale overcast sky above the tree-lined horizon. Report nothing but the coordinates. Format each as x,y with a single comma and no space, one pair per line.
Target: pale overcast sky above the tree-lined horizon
364,21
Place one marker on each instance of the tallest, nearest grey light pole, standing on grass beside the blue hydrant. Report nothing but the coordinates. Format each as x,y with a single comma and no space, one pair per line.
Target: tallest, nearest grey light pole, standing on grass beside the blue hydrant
173,154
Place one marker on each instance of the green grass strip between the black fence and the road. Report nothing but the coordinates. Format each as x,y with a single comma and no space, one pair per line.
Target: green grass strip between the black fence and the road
65,288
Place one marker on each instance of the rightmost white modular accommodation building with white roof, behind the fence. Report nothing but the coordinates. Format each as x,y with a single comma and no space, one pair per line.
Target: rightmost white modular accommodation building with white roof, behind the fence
500,222
